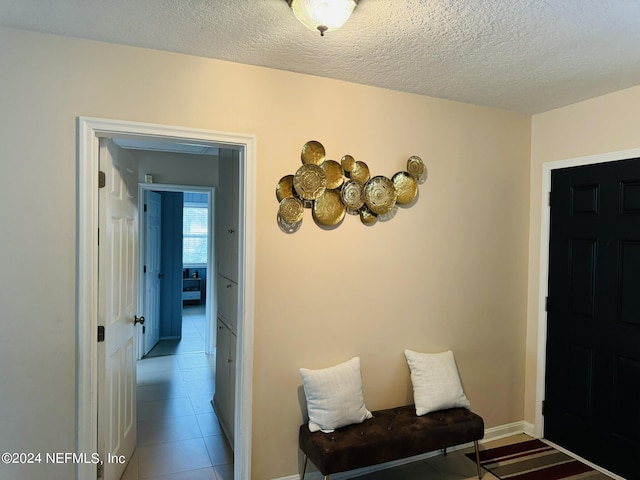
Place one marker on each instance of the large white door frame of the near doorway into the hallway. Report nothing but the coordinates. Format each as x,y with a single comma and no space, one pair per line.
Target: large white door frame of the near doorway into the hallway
89,130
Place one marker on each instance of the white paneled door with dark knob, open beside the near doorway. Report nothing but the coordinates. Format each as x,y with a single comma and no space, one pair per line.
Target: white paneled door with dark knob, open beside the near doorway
117,260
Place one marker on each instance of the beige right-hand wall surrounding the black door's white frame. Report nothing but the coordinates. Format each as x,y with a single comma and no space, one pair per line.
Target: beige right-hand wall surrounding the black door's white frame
602,125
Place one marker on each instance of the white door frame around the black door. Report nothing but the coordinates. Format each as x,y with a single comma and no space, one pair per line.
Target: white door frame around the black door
545,215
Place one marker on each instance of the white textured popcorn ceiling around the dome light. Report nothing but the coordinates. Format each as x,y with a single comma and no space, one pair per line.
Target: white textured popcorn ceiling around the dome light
522,55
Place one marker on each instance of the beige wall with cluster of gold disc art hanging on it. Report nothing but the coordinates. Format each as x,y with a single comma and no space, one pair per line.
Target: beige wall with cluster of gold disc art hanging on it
447,273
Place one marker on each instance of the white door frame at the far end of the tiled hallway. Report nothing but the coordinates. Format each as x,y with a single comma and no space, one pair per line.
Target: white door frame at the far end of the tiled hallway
210,287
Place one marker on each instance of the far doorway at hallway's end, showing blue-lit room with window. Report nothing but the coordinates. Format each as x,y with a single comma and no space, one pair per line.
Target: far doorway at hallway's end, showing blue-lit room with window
177,268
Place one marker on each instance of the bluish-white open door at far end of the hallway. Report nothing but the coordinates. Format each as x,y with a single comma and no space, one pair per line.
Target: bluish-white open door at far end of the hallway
153,270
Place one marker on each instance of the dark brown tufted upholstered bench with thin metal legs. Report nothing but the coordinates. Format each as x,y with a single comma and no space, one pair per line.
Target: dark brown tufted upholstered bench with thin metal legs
391,434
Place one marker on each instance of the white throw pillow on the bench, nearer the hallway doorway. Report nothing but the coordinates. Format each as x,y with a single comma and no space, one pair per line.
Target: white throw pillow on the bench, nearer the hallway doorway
334,396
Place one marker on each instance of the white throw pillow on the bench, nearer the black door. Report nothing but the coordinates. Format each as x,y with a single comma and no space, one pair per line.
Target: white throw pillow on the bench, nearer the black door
436,384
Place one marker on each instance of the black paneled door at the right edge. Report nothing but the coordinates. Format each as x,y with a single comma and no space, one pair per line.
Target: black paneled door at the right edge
592,404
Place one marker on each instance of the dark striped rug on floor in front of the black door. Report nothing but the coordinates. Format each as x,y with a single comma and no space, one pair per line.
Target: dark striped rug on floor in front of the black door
534,460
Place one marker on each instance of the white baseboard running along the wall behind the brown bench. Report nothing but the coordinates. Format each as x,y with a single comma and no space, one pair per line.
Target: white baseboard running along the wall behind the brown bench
490,434
